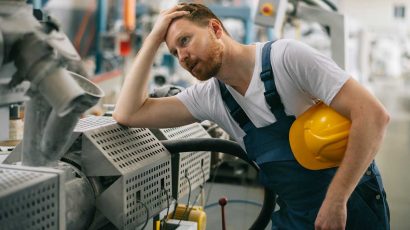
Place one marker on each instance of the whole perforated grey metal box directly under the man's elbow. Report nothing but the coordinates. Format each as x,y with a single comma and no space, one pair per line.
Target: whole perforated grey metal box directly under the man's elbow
140,163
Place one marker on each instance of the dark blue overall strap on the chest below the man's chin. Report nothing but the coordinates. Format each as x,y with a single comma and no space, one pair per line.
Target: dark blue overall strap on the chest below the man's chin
234,108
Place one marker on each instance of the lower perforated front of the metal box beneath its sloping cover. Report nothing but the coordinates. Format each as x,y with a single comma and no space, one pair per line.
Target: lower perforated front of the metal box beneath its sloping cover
123,202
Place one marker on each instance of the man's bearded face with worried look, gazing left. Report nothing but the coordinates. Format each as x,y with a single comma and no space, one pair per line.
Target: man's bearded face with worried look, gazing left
197,48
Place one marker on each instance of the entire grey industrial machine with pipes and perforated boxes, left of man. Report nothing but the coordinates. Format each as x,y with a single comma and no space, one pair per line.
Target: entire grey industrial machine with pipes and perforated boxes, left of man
69,173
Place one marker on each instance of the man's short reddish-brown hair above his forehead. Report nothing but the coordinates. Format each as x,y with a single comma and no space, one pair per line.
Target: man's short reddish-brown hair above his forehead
199,14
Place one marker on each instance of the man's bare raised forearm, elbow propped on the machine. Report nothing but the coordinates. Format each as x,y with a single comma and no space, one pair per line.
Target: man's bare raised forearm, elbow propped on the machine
134,90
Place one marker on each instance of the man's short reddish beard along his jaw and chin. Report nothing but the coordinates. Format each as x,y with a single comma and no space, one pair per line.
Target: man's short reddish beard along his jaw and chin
213,63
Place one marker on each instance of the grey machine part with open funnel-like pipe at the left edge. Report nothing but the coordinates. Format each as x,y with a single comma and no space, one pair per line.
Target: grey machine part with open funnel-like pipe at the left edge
36,187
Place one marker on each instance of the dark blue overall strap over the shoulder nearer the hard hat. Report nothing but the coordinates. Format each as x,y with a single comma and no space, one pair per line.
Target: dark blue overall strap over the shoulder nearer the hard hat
271,94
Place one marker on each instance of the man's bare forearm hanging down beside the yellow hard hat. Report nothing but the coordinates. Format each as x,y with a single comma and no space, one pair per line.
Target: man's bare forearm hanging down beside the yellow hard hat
366,135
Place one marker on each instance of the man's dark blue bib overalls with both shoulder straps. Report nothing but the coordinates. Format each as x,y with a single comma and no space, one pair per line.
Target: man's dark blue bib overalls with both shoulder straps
301,191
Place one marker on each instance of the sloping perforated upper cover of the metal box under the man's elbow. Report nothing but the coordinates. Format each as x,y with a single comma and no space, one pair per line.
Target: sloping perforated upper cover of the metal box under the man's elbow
114,150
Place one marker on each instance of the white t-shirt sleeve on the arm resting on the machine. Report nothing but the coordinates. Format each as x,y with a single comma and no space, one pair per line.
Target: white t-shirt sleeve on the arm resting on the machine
194,99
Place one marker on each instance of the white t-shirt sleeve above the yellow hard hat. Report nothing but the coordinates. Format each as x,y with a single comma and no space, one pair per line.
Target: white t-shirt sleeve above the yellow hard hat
314,73
